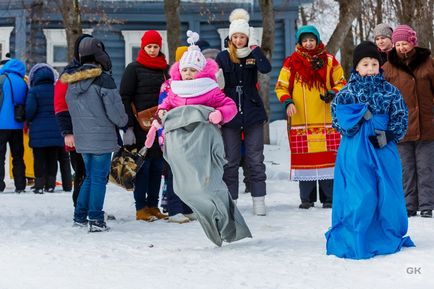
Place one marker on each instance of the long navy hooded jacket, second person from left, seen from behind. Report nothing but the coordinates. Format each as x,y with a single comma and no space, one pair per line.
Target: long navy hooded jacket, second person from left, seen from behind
44,131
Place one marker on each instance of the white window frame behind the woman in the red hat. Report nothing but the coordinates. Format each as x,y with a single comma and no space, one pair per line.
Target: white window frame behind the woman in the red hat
133,38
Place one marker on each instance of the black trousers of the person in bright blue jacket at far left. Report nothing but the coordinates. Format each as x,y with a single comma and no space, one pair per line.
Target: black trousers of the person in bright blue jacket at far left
15,139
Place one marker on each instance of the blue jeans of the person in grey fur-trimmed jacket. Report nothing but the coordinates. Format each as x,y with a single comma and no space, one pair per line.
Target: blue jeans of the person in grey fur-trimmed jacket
92,193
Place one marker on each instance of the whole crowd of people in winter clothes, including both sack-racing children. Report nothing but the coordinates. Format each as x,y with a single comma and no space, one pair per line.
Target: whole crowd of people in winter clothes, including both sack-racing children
364,146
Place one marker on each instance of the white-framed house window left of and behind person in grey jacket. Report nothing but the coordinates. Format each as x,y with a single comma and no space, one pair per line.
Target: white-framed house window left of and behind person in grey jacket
57,50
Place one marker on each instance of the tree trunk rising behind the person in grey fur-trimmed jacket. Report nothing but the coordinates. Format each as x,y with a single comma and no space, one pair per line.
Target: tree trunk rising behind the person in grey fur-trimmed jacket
70,11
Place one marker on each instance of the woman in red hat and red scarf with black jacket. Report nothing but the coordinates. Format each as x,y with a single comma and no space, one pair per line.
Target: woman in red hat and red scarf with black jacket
140,85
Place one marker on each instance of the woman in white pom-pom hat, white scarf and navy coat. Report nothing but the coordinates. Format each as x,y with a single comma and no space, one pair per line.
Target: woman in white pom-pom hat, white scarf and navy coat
240,64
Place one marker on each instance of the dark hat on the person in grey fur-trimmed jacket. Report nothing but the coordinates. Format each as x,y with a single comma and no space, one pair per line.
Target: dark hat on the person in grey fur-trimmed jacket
91,49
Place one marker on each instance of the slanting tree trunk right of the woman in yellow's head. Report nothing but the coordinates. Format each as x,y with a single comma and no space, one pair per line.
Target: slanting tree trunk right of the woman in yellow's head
348,11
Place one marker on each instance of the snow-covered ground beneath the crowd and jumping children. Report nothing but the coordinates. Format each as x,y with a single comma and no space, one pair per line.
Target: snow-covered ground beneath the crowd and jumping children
39,248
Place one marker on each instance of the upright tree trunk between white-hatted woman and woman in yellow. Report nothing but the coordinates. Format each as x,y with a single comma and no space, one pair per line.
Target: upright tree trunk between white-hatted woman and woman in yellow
267,46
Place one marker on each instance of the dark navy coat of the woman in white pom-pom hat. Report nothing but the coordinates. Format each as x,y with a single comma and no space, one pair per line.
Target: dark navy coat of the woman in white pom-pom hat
244,75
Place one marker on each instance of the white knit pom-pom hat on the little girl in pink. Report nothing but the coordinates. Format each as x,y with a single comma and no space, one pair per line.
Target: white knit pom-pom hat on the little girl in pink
193,57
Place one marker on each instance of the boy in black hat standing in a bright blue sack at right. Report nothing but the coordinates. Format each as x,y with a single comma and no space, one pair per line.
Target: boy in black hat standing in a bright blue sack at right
369,215
